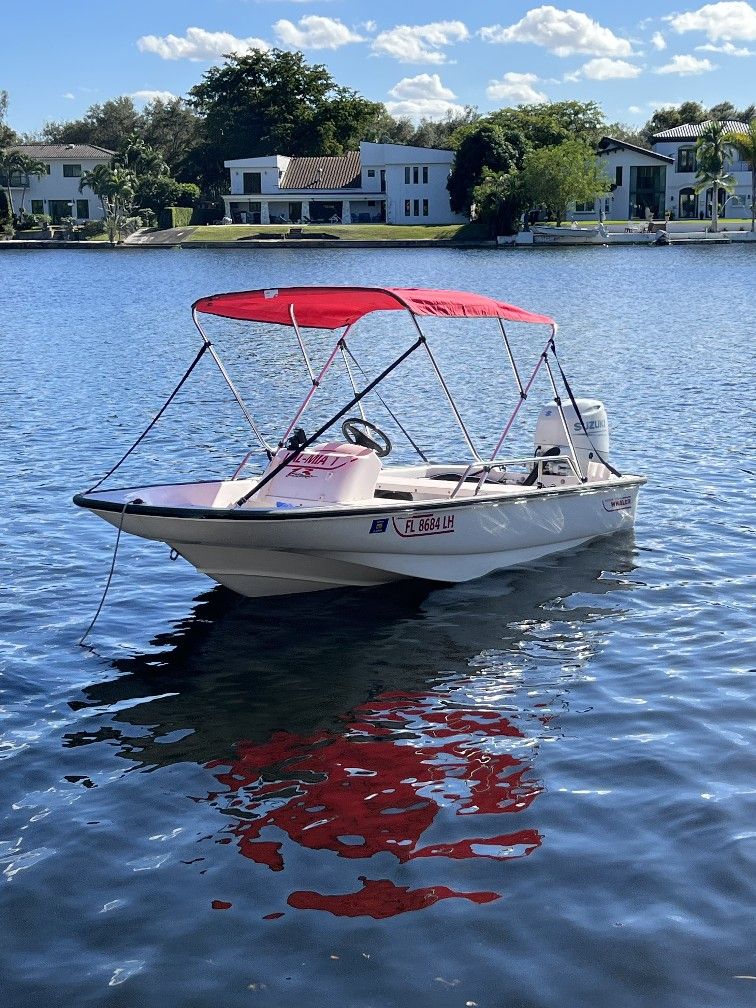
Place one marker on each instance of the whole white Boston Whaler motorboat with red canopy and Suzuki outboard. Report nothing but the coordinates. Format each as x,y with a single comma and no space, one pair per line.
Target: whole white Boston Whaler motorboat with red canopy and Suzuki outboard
328,512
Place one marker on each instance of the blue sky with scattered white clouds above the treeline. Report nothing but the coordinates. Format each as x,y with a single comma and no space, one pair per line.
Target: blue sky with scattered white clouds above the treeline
422,59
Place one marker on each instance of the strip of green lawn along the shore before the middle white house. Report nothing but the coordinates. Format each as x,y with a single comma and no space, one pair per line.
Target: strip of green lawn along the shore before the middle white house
357,232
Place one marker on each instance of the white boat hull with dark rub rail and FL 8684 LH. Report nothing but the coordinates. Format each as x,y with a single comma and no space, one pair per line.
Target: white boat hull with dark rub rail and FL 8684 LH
268,553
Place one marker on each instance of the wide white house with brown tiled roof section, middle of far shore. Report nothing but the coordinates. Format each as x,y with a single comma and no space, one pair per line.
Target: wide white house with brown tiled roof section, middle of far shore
383,183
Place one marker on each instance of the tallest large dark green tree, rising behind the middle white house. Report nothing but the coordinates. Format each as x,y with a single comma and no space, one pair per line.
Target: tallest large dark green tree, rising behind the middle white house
262,103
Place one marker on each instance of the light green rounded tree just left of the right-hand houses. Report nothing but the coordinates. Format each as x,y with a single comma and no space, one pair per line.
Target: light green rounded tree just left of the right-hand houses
555,177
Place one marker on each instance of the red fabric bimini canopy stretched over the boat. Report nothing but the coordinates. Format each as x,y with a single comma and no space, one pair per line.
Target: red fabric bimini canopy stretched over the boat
332,308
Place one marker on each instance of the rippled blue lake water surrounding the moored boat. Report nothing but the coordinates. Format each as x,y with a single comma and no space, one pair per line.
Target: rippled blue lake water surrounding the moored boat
532,791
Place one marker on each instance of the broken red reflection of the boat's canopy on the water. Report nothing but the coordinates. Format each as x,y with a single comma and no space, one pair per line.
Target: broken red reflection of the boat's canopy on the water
379,788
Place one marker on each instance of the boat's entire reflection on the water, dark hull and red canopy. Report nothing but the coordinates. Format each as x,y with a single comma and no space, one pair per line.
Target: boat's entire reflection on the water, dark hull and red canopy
402,736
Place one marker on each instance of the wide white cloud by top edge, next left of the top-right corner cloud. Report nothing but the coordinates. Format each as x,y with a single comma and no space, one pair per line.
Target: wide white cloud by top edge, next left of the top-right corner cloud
564,33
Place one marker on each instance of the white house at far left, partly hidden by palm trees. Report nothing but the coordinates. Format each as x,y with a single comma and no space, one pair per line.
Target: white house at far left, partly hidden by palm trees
57,192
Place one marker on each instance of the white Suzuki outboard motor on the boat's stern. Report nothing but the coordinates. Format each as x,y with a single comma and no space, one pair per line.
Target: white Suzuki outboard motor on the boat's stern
550,435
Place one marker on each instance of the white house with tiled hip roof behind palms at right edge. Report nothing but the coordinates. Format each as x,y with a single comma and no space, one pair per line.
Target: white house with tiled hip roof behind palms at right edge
682,199
